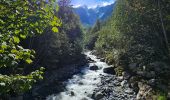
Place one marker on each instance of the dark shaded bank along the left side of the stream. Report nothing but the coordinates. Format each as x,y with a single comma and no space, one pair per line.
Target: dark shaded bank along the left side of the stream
53,80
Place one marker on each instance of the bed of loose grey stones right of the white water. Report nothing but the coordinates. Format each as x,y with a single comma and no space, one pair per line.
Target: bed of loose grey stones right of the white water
113,88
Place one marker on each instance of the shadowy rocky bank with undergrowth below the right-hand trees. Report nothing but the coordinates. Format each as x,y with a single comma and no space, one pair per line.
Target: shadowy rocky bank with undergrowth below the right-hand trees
149,83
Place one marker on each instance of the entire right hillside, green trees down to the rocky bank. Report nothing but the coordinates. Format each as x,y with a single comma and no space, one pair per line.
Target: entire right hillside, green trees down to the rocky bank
136,41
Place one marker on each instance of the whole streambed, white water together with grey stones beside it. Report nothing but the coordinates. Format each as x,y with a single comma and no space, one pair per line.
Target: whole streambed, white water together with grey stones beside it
95,82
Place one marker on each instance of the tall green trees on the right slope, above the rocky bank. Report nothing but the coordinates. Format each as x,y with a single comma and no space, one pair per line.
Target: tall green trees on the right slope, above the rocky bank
135,29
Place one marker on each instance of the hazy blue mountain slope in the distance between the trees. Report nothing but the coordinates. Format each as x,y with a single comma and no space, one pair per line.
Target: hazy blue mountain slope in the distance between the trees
88,16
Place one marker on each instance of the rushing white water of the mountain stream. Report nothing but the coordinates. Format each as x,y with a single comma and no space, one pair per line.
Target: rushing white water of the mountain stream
81,85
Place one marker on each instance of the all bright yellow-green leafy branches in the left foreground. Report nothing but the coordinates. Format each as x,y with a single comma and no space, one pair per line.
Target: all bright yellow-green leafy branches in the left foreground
20,19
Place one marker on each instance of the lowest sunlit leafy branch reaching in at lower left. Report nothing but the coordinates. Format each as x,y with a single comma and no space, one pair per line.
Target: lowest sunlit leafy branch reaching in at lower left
19,83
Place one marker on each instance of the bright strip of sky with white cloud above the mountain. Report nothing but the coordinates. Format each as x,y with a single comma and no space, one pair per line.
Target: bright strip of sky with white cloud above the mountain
91,3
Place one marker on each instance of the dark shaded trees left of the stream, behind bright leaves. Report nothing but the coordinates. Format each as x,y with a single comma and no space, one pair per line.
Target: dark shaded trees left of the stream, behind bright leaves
55,50
